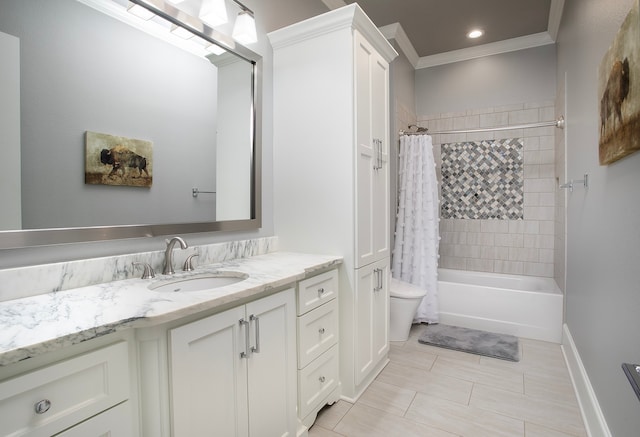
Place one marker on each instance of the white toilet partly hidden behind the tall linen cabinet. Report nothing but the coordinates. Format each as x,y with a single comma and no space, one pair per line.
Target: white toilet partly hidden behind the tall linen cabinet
404,301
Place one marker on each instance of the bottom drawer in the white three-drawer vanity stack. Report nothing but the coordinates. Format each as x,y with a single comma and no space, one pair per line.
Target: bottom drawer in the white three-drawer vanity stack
317,380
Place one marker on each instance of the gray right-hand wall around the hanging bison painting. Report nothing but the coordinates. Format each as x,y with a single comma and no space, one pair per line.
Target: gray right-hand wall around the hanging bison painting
603,239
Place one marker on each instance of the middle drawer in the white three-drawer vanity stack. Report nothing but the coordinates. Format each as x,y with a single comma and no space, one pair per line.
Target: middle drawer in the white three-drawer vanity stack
317,332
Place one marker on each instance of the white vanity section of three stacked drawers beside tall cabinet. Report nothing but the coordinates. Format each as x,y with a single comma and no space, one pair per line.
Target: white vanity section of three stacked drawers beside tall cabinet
317,327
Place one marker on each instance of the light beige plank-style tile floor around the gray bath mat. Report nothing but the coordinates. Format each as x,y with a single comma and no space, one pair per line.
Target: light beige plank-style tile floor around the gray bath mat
429,391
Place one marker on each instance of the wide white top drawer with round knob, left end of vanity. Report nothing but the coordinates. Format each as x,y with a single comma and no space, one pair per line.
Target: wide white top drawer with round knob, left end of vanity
67,392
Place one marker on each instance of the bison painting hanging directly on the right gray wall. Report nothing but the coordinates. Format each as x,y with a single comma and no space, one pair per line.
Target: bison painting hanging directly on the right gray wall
619,92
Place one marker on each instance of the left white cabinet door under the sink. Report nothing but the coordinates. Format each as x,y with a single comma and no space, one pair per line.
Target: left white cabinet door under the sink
208,376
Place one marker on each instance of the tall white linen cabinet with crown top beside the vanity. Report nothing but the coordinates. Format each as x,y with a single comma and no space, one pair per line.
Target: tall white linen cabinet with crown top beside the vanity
331,170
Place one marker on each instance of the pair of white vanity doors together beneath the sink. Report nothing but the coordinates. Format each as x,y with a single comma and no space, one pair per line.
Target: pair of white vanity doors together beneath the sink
234,373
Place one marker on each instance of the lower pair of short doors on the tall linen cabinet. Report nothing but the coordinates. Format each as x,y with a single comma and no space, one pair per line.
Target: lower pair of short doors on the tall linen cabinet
372,317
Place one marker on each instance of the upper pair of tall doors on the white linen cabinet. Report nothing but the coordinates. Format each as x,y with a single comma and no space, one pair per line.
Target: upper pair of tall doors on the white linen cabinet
372,138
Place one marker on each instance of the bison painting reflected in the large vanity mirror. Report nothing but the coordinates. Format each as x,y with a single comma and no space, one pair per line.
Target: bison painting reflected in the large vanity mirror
113,160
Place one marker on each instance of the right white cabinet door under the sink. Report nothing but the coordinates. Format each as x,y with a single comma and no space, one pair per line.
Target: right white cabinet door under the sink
272,366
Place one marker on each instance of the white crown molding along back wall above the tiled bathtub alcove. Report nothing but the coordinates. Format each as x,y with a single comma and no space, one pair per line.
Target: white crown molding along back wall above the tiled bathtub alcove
509,45
